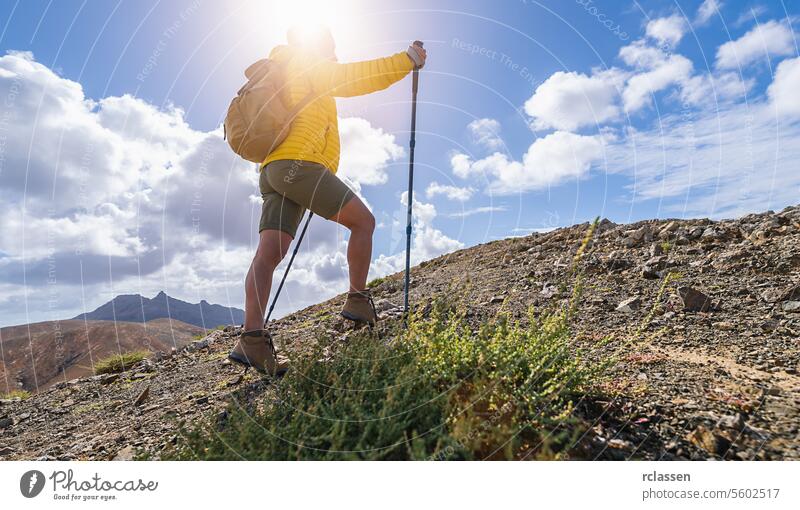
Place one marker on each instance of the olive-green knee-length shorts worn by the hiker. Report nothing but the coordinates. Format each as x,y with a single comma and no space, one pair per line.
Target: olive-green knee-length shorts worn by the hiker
289,187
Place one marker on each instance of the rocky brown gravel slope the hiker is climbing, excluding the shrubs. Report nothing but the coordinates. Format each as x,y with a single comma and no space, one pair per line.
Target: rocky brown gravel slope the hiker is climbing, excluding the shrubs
707,368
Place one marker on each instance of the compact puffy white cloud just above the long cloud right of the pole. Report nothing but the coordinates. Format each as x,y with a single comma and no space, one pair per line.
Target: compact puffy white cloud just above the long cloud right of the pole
570,100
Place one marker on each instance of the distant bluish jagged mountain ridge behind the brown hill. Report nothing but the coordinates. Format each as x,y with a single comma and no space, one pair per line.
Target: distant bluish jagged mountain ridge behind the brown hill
137,308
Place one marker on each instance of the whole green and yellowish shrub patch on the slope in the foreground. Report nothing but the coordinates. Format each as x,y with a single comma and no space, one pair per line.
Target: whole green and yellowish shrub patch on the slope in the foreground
438,390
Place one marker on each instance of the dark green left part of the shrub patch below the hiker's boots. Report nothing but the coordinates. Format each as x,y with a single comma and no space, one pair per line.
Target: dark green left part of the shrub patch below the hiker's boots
366,402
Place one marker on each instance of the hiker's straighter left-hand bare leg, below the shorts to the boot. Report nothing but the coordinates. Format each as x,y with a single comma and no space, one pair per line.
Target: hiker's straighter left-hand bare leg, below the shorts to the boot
272,247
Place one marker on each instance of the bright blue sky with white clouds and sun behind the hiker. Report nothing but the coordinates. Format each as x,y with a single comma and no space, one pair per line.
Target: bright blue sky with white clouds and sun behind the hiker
533,115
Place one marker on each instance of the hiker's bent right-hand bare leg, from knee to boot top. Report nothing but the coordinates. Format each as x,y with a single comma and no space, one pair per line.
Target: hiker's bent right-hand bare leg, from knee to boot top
357,218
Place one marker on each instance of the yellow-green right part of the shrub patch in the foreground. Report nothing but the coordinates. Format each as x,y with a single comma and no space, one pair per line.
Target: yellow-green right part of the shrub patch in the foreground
514,384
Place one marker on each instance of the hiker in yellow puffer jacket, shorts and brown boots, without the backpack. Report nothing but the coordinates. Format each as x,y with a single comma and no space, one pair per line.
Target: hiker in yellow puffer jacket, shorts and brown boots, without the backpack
300,173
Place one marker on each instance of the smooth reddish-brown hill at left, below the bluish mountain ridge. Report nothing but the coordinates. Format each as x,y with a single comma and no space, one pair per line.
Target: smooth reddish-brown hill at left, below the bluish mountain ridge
35,356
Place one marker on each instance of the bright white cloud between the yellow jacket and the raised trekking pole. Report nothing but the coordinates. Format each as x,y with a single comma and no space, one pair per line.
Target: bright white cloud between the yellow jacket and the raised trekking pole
366,151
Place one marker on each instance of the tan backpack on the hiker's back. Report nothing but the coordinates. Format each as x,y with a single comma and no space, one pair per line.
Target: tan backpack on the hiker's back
258,120
